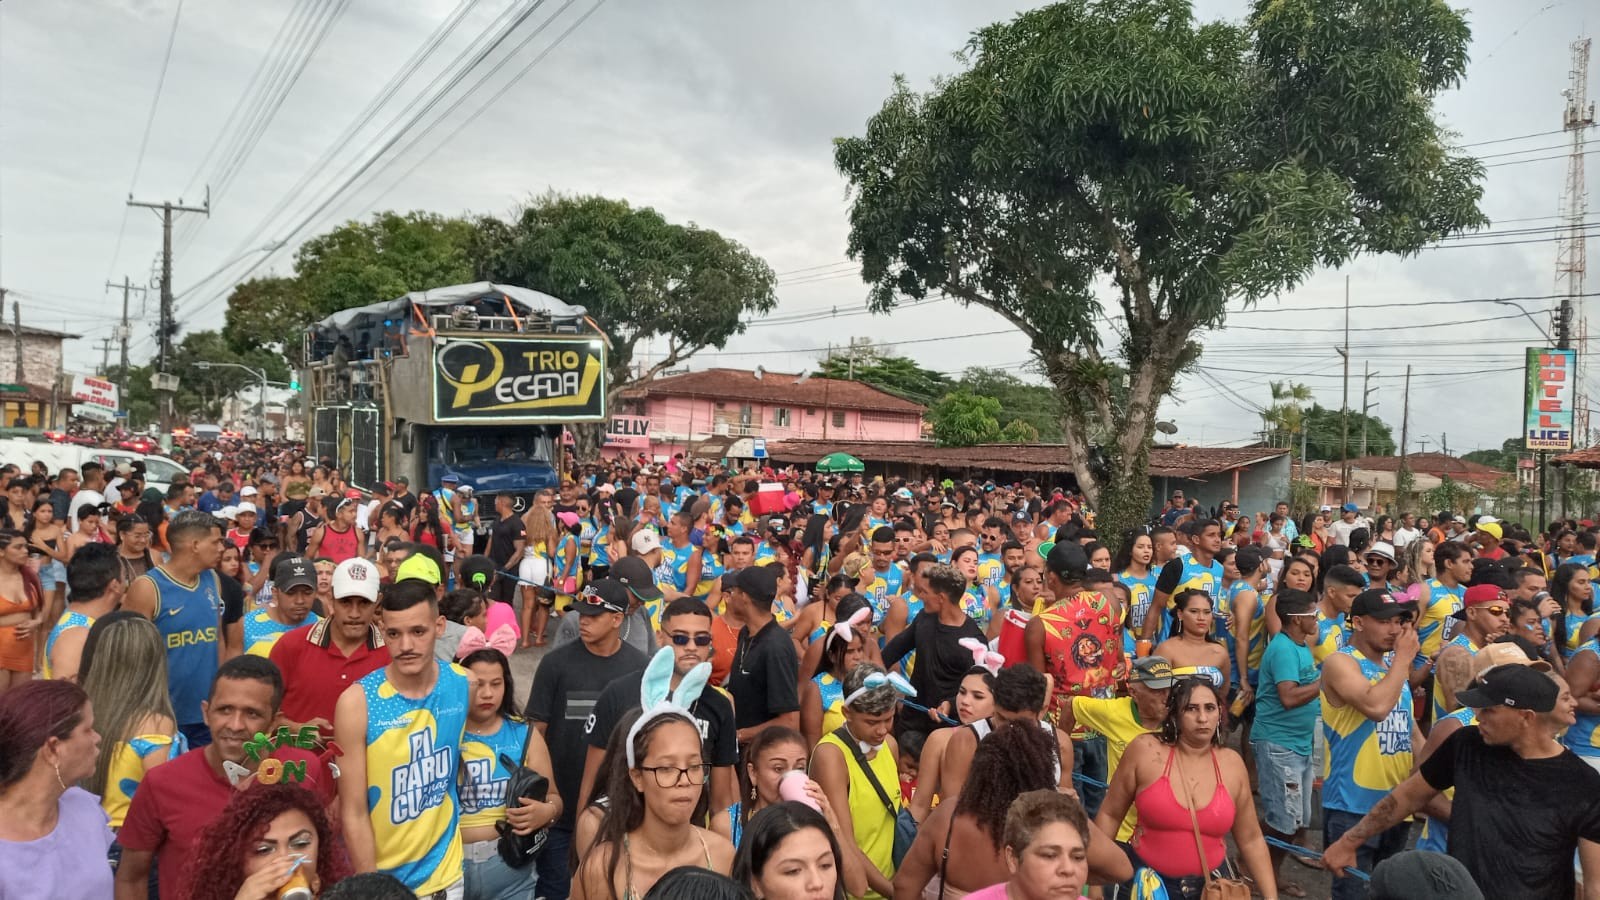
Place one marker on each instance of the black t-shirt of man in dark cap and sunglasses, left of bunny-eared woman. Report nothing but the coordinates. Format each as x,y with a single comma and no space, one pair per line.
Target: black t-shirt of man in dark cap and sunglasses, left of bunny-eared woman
566,689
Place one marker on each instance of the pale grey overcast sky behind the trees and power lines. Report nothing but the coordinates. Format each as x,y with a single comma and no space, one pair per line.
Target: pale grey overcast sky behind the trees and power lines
713,111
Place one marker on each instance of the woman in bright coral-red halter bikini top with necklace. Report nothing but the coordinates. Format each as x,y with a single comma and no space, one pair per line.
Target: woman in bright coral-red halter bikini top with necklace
1180,781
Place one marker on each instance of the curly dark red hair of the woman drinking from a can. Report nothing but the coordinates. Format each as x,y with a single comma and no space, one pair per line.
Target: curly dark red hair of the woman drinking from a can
218,867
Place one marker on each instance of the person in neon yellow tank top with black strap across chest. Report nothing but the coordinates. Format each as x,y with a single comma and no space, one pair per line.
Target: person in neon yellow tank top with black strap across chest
860,773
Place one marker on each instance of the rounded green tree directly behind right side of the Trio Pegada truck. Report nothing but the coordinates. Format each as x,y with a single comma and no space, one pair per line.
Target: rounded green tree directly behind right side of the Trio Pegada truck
639,276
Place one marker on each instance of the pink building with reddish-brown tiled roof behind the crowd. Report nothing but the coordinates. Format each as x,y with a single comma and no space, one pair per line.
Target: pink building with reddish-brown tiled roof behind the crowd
729,412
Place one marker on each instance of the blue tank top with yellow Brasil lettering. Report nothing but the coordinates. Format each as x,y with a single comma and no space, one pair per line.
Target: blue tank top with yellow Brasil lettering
188,617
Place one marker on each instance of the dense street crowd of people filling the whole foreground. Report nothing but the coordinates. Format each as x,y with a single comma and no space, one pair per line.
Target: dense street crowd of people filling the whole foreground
266,683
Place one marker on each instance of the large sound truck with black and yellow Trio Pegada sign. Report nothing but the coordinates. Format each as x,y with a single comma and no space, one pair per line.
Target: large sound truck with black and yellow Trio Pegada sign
470,380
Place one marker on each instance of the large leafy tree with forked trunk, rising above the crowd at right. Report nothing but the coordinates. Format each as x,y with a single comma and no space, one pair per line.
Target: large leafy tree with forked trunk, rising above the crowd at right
1119,150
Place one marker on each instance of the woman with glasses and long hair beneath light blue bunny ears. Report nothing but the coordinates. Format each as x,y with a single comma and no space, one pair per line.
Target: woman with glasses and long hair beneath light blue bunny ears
649,827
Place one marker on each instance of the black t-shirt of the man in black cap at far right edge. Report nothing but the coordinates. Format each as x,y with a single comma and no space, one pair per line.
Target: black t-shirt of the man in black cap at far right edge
1516,822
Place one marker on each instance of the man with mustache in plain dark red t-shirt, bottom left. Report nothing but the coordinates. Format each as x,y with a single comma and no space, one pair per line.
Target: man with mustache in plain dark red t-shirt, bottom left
178,800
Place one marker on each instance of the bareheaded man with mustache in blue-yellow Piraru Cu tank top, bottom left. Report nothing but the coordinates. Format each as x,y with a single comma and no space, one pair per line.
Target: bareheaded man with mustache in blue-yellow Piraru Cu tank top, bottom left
401,729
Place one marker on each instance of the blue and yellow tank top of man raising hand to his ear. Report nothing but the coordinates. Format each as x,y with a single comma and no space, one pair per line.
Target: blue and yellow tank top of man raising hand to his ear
1366,758
